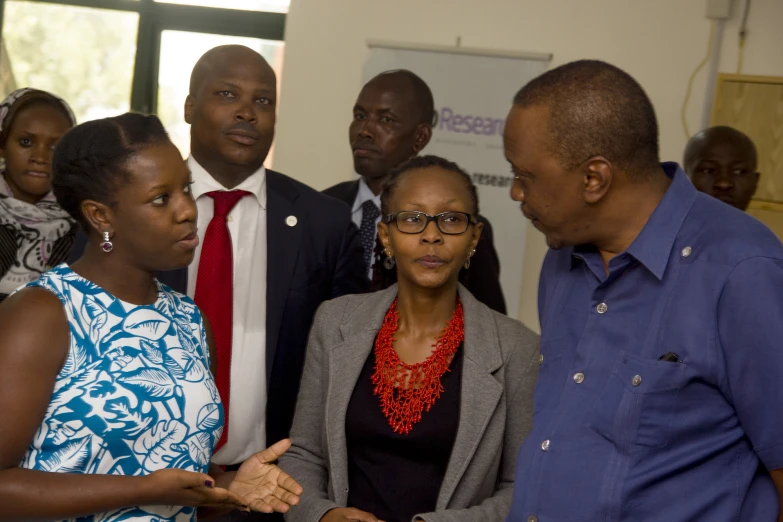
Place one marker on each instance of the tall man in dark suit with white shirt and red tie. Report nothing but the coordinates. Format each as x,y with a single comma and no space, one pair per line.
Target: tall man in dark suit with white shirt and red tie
272,249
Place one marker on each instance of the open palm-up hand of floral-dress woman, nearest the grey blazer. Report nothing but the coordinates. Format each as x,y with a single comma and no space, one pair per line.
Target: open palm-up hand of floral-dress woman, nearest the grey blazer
264,486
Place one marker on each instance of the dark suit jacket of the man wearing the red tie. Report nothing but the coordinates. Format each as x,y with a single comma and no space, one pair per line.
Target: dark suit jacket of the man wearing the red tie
318,259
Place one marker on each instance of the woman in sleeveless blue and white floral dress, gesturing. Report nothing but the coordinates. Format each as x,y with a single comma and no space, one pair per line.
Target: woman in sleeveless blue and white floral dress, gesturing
108,407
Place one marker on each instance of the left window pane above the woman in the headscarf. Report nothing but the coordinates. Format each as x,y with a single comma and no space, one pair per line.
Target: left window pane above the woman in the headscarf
82,54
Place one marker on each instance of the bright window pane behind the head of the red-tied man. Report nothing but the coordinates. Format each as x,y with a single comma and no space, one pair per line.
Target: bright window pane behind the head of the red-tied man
179,52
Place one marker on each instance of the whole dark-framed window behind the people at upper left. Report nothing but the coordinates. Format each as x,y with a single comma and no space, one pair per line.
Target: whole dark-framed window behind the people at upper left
105,57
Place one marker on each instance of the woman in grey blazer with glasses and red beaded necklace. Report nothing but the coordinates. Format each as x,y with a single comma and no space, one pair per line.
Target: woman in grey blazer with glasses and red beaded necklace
399,419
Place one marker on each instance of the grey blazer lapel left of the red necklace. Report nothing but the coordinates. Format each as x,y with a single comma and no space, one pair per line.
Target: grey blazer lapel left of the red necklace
346,361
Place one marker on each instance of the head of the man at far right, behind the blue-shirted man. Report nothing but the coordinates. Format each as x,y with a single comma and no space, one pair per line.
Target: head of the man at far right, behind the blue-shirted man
722,162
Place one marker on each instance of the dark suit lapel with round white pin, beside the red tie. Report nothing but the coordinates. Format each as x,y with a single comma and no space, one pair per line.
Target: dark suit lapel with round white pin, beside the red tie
282,250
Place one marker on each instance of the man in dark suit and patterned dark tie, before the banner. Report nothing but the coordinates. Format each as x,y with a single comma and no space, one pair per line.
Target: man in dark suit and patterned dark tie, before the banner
392,122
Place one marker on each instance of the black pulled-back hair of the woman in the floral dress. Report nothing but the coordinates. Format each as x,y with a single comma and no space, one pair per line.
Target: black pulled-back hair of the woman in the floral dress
89,161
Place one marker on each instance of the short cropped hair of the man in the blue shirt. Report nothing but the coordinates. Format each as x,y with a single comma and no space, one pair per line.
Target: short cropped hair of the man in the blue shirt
596,109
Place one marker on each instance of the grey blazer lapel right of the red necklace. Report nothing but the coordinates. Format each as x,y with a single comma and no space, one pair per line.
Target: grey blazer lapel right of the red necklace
480,391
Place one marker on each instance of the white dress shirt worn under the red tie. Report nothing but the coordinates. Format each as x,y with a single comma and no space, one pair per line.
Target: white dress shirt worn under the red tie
247,226
